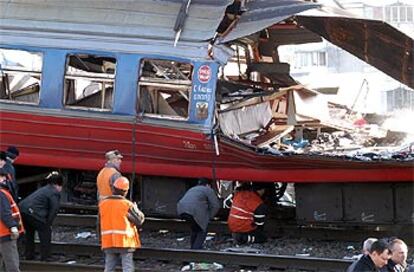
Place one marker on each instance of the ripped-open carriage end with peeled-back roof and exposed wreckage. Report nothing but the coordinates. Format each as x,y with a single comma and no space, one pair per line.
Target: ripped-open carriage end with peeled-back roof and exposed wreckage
268,110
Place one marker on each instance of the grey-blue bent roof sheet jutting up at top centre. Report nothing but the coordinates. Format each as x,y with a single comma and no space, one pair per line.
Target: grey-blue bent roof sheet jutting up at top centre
261,14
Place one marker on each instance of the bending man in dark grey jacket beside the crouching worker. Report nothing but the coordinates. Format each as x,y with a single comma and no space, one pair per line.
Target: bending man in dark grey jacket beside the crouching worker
198,206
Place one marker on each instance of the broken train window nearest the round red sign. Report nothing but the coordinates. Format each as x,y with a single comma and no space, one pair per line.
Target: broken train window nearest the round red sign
180,82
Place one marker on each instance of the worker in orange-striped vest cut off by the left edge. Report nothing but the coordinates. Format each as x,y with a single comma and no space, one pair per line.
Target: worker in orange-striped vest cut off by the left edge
11,227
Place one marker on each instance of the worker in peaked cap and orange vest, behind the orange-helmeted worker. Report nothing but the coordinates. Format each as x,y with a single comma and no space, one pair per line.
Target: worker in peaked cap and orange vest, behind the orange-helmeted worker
109,174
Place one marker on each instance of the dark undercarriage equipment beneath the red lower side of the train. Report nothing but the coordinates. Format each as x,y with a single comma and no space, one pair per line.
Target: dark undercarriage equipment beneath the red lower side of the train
340,204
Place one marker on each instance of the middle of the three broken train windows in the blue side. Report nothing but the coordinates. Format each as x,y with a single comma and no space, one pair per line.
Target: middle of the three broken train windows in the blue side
105,104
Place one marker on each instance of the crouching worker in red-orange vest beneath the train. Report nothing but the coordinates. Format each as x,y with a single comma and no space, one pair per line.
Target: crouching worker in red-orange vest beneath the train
247,214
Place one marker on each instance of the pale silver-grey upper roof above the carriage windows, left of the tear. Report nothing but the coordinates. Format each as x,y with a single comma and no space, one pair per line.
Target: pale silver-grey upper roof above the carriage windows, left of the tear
152,19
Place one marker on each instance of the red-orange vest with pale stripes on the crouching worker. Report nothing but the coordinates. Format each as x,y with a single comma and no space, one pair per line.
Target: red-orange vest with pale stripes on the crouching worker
241,218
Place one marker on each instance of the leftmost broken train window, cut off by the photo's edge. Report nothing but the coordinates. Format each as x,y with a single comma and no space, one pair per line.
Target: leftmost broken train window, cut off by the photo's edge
23,72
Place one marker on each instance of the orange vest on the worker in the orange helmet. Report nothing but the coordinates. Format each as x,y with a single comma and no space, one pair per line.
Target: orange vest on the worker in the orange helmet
116,230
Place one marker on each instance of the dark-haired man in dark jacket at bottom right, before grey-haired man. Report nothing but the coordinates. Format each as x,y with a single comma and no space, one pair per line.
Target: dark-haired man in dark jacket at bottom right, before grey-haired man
377,258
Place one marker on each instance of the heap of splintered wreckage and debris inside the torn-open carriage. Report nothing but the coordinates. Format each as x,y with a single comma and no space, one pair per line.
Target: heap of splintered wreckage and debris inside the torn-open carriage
297,120
